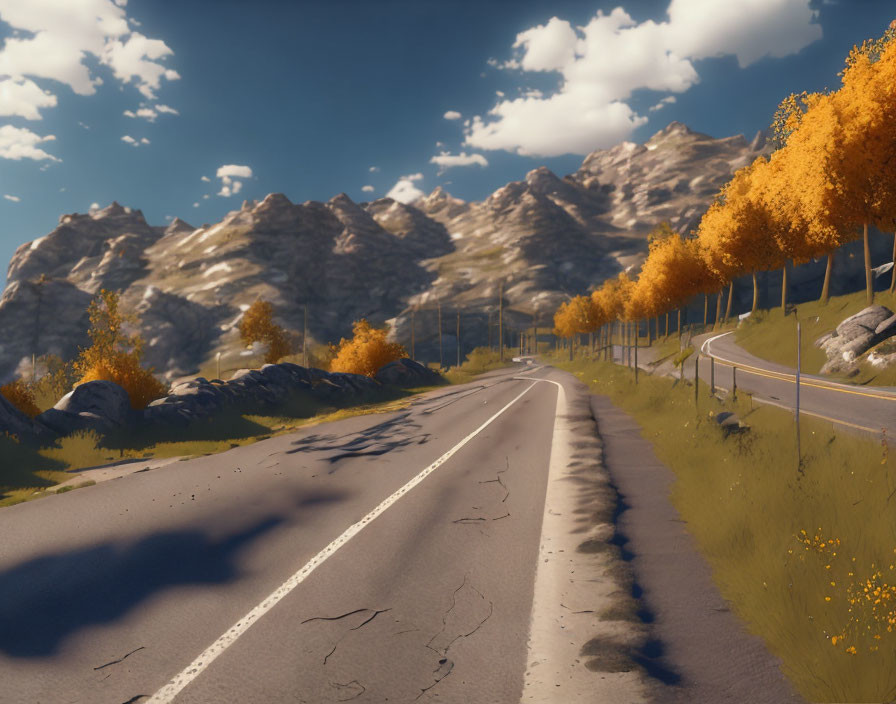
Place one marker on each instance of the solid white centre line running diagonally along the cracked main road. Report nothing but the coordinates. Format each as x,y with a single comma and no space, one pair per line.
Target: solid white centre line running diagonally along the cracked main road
167,693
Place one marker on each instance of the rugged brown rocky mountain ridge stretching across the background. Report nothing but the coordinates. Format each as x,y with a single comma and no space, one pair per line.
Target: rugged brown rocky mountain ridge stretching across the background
542,238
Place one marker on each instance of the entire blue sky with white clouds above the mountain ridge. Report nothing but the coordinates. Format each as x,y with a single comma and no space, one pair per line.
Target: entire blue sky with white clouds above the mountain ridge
139,102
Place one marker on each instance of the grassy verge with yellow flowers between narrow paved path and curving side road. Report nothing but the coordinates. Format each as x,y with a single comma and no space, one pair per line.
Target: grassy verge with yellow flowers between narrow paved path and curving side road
746,503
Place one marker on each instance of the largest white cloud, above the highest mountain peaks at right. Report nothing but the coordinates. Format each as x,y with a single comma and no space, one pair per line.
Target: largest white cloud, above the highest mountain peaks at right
603,62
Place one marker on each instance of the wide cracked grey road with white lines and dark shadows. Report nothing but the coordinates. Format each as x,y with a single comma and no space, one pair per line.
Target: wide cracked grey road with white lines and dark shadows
391,557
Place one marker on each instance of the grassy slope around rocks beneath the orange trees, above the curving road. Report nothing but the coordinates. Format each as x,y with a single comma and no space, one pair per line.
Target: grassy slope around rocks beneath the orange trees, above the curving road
771,335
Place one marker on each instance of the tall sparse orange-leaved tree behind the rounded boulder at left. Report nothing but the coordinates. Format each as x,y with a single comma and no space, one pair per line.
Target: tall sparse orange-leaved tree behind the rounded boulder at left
114,354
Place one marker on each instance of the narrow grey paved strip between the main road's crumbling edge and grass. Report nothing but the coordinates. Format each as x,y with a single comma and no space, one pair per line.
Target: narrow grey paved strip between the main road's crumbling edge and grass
704,647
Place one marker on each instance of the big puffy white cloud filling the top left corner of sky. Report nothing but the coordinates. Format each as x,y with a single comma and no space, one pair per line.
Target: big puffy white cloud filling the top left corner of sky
62,41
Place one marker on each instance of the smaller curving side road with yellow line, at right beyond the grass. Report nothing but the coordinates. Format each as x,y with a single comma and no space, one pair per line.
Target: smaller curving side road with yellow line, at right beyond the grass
866,410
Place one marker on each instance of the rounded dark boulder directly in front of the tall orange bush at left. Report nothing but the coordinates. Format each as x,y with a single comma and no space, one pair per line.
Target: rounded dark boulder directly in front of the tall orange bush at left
102,406
